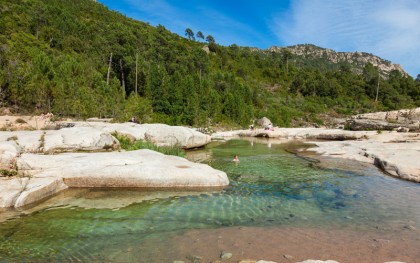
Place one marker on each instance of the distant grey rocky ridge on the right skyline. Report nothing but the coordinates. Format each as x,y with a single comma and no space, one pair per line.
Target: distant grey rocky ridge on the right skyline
357,59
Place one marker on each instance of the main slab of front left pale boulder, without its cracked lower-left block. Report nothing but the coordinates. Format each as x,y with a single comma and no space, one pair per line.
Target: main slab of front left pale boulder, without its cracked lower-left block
141,168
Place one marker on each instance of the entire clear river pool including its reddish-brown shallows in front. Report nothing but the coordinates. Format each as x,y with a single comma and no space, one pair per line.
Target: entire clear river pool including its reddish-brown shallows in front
278,208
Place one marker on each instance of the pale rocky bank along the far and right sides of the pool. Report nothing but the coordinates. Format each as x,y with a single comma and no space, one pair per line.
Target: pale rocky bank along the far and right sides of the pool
396,153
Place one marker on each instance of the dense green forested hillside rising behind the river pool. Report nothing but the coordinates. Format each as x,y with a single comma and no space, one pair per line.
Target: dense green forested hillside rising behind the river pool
79,59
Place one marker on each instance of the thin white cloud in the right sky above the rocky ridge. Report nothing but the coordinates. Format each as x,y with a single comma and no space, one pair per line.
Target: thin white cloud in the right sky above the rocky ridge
387,28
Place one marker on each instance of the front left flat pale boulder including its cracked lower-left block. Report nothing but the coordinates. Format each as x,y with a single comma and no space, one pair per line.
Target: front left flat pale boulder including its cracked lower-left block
45,175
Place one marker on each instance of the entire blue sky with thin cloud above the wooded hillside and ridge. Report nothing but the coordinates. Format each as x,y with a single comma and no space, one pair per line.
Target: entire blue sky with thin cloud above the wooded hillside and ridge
387,28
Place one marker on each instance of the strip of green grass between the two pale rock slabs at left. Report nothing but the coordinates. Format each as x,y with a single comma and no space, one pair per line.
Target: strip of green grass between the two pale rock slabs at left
131,145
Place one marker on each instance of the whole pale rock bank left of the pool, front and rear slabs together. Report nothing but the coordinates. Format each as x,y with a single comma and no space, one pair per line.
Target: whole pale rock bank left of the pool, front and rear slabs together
37,164
